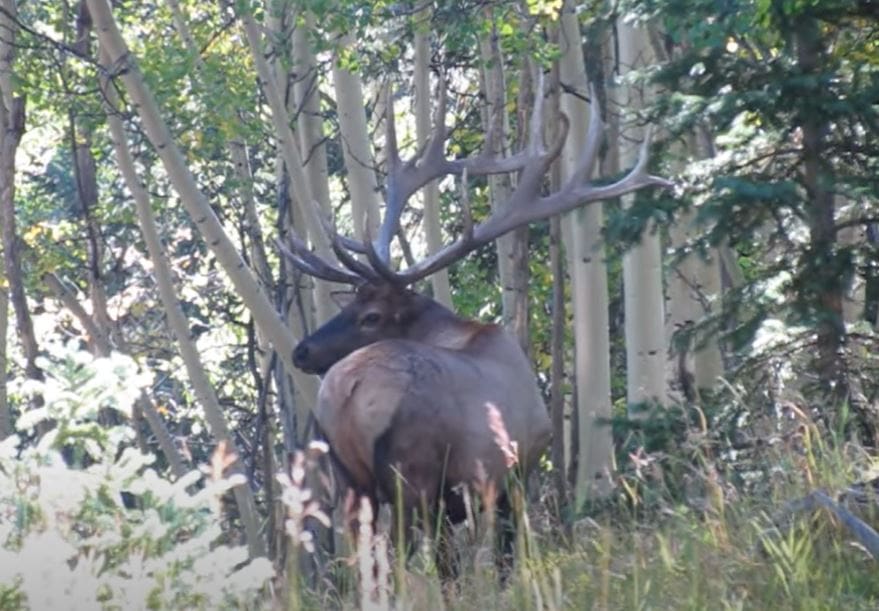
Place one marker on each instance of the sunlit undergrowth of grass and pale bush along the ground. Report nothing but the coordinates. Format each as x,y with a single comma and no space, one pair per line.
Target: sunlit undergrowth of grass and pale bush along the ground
691,524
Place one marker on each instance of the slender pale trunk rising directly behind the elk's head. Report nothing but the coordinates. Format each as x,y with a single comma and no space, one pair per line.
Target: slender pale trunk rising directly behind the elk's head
442,291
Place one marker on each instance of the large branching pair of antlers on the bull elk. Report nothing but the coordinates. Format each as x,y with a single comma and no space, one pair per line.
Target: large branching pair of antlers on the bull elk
525,205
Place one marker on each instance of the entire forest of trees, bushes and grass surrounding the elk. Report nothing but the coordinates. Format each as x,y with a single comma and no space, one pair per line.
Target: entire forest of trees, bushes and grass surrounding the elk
707,352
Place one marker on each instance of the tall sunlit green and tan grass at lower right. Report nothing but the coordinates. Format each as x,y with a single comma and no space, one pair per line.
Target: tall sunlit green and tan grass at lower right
716,547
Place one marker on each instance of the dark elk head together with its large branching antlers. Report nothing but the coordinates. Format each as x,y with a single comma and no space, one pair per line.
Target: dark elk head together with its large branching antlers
382,307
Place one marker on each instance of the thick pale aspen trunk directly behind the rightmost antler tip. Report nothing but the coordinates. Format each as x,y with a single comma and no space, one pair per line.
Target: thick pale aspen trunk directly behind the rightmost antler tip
642,264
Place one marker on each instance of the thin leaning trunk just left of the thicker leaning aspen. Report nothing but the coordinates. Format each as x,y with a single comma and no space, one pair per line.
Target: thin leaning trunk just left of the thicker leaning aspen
198,377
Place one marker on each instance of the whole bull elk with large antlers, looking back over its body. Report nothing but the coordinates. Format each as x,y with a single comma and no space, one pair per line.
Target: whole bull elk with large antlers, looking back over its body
409,387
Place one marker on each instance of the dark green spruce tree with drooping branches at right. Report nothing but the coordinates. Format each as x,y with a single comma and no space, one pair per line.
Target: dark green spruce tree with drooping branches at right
741,91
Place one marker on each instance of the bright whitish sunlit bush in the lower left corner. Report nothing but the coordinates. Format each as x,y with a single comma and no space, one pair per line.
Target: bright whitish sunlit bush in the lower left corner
88,522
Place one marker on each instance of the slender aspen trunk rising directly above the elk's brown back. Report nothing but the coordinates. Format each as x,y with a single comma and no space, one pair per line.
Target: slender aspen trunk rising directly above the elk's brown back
512,248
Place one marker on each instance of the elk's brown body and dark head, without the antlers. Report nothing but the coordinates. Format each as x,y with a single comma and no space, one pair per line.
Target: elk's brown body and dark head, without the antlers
410,391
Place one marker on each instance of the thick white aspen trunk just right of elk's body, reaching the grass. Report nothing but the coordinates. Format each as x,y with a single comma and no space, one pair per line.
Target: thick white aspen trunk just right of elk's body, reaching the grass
583,243
